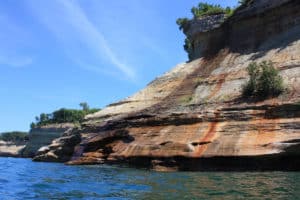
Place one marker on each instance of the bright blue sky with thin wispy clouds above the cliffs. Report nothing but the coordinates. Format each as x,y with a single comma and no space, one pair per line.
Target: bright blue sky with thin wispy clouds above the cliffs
58,53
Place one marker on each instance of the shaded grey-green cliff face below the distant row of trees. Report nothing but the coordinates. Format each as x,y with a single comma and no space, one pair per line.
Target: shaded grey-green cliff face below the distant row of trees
43,136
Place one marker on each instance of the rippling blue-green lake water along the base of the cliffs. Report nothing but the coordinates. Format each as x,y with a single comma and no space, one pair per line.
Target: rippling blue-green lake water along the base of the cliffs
23,179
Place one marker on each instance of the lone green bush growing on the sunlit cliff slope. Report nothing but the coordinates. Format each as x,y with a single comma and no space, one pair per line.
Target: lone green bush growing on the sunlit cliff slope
264,81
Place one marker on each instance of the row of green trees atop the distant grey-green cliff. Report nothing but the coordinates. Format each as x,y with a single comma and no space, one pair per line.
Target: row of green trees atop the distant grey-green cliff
64,115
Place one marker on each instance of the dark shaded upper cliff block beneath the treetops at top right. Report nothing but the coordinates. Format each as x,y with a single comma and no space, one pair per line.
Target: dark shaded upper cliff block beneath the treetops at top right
249,28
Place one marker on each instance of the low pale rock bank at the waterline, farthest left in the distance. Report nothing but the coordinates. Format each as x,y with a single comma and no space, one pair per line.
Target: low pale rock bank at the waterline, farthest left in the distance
11,149
